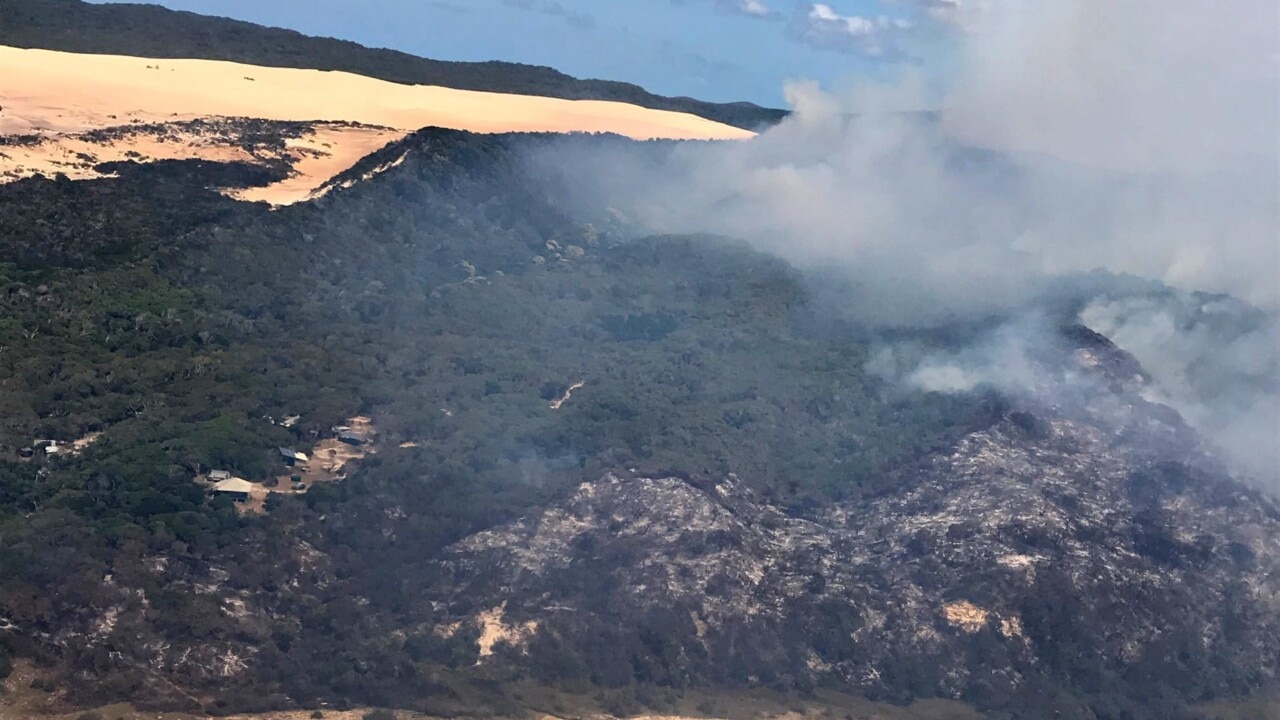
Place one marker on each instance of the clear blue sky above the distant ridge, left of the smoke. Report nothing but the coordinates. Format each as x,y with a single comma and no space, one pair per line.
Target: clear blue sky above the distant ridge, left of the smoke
719,51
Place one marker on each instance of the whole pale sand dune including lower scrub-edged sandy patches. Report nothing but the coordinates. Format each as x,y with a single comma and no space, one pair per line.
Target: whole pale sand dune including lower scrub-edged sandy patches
60,97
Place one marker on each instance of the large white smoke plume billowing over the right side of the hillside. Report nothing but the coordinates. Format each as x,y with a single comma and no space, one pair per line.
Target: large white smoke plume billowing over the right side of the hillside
1135,138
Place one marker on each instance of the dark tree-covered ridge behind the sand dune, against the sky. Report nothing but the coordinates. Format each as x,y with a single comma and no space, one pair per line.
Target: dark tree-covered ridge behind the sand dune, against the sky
80,28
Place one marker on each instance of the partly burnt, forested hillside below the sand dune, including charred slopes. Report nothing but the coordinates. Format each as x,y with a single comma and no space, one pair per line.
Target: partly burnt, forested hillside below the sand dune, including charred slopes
724,453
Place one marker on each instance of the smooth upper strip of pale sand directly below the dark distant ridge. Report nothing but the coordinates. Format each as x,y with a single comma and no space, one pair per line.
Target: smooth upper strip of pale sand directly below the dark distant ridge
62,92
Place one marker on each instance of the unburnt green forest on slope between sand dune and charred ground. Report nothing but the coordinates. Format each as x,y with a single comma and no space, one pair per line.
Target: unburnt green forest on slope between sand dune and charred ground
460,289
